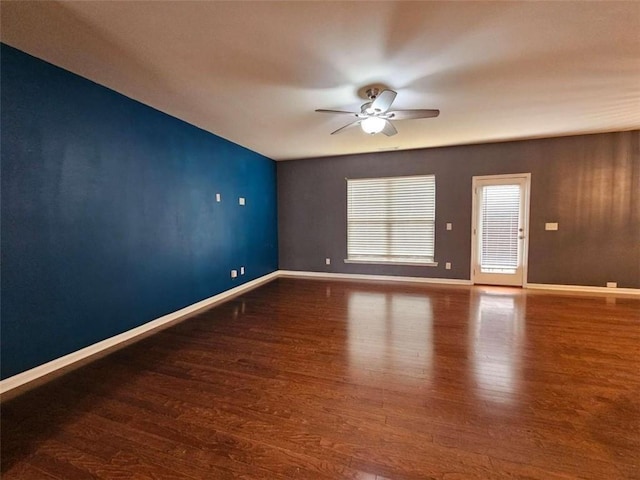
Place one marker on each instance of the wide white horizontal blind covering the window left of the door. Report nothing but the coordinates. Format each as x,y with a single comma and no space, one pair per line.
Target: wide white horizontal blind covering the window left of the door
391,219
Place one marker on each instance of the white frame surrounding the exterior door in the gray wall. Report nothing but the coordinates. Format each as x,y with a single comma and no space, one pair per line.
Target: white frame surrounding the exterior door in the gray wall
525,220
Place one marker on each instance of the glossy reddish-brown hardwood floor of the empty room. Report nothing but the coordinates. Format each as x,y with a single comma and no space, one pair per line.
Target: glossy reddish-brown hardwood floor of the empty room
312,379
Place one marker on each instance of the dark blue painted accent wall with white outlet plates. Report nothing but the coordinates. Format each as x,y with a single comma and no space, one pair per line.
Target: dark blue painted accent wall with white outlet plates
109,218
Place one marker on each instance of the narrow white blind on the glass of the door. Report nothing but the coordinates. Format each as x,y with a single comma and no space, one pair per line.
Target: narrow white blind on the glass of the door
500,223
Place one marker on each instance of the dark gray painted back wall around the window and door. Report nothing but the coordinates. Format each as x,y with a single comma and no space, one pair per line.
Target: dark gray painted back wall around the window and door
589,184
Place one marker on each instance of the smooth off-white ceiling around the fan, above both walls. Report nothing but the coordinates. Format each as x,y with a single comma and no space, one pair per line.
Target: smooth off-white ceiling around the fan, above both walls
254,72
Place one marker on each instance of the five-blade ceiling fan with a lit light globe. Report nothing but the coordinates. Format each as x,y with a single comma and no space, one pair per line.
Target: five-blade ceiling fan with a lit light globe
375,115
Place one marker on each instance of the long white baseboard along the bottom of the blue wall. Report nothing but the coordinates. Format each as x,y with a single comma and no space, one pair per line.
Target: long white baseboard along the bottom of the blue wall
157,324
